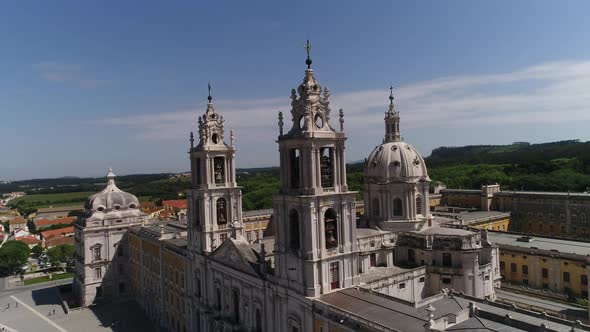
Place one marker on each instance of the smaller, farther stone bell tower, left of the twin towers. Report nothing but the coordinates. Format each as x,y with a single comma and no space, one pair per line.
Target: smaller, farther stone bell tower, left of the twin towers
214,200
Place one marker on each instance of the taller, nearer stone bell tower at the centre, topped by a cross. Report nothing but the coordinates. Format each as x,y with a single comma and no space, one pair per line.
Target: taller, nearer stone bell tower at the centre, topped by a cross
314,211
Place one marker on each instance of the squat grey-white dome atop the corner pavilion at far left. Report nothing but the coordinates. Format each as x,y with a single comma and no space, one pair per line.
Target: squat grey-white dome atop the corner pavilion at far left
111,198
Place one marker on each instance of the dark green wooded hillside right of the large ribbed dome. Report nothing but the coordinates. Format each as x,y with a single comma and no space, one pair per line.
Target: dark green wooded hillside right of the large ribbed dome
556,166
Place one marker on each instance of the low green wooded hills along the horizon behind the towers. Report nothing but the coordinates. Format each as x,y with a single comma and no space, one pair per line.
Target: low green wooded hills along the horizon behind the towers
555,166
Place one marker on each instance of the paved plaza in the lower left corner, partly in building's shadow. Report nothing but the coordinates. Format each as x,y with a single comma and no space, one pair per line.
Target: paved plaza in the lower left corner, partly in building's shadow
41,310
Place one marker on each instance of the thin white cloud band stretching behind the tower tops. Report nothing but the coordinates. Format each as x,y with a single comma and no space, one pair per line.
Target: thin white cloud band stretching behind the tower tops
549,92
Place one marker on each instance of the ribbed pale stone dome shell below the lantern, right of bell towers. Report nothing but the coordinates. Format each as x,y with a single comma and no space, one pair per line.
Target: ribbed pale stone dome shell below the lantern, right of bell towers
396,162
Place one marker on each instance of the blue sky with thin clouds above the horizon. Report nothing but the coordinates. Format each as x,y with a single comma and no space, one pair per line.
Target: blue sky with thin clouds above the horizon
89,85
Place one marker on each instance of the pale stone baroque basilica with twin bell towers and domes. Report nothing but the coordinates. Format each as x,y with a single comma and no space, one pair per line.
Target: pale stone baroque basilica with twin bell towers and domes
318,270
